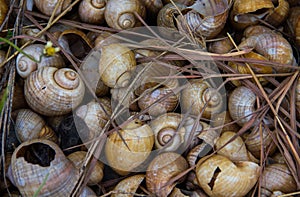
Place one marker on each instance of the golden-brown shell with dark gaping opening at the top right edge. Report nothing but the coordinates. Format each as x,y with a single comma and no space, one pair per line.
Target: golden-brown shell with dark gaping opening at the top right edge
246,13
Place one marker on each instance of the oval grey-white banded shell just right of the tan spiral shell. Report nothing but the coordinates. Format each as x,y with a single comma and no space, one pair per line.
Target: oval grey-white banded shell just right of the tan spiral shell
241,104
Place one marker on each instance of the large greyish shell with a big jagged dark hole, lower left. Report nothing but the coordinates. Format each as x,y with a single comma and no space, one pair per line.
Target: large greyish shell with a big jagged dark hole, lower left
35,161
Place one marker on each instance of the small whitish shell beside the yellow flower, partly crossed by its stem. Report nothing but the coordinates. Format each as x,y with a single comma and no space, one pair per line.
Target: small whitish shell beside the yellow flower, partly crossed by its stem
25,66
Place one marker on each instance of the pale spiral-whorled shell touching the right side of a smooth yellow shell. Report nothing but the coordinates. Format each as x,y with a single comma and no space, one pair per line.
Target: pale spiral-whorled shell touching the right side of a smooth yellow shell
167,137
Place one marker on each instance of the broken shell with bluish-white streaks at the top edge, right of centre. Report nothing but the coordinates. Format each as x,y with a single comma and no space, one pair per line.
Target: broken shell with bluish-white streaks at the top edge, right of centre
206,19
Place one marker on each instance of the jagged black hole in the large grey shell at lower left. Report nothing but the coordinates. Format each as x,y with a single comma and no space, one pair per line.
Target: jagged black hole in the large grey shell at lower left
37,153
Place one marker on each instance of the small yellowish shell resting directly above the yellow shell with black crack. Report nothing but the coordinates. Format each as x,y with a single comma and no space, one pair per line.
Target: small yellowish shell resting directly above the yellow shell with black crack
235,150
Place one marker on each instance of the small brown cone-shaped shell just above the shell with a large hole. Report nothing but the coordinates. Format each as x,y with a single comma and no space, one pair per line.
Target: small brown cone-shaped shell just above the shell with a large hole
30,125
